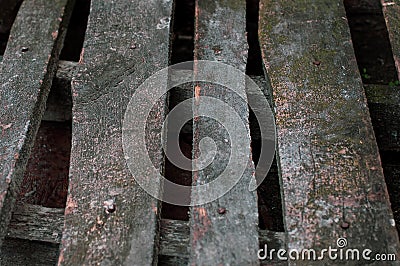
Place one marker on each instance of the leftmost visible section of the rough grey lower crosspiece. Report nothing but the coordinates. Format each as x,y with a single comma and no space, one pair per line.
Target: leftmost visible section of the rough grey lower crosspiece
34,222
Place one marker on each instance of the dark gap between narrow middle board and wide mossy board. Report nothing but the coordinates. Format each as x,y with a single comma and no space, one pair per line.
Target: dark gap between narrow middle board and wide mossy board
269,192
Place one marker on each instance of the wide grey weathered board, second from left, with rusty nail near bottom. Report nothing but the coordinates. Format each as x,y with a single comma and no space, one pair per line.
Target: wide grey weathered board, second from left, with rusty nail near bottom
126,42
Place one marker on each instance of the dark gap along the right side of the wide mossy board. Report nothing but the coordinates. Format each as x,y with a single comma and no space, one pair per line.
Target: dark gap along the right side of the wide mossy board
376,64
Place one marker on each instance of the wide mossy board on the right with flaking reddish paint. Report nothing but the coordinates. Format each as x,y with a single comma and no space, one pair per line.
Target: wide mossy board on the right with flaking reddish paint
333,184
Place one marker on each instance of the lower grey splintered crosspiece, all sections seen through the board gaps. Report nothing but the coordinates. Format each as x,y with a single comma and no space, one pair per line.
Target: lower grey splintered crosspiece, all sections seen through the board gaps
37,223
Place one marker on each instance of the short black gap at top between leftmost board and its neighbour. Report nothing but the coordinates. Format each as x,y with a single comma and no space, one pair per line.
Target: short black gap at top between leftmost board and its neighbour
75,36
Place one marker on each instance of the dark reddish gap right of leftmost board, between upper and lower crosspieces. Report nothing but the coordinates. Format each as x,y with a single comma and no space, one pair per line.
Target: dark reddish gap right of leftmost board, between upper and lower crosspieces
46,177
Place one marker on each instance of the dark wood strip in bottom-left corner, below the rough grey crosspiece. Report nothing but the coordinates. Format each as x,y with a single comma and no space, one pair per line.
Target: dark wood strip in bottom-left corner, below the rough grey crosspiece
19,252
